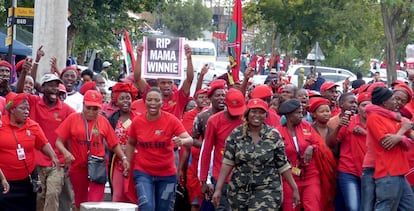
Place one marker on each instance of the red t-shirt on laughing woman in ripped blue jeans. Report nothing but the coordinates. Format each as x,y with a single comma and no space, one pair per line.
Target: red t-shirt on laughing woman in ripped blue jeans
154,143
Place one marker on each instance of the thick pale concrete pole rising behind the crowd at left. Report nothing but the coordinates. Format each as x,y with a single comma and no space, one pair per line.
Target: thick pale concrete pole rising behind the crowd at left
50,31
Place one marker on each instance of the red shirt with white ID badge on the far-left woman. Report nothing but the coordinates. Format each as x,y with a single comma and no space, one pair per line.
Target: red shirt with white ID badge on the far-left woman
30,136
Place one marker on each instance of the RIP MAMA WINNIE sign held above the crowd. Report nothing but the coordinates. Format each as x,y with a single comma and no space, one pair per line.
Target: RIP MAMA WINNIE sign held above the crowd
163,57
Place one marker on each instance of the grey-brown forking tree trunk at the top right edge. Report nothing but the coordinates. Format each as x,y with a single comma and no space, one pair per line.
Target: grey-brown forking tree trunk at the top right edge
398,21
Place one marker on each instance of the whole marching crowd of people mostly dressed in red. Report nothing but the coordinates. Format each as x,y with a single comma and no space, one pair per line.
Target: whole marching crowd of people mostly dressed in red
229,146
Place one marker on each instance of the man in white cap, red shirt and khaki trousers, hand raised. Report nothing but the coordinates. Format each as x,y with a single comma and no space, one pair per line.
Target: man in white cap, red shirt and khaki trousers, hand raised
49,112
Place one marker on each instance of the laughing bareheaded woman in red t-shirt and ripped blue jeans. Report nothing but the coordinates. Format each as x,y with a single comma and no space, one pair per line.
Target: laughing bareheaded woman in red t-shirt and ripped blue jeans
155,135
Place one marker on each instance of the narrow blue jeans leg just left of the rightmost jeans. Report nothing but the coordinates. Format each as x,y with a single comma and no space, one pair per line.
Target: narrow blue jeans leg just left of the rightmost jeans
367,189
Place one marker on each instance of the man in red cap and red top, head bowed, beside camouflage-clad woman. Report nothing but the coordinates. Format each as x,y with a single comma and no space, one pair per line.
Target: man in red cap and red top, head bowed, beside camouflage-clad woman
219,126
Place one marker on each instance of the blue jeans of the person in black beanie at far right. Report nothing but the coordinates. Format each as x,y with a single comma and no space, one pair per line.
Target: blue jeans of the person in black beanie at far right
393,192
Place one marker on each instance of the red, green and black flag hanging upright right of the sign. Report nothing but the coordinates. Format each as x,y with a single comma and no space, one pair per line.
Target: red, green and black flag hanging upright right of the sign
235,40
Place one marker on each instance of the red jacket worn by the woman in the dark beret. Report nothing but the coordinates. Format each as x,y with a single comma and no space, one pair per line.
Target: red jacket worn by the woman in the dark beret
306,136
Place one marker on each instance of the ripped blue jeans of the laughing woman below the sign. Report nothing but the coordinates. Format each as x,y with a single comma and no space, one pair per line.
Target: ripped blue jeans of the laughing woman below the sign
155,193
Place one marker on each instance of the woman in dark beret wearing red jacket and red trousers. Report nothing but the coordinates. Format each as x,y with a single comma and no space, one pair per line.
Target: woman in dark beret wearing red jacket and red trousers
301,140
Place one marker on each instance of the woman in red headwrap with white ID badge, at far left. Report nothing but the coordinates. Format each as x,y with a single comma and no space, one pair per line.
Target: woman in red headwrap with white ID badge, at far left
20,137
